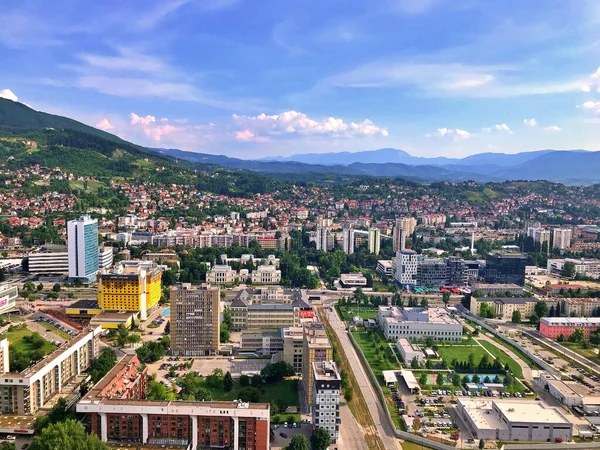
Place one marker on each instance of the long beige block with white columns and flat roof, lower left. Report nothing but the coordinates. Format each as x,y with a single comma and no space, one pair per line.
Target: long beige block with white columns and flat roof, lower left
26,392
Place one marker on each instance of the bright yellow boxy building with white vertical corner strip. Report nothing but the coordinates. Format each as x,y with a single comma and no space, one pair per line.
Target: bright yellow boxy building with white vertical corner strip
130,286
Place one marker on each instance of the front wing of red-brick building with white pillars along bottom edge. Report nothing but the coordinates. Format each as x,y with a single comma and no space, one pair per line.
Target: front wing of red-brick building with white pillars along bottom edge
195,425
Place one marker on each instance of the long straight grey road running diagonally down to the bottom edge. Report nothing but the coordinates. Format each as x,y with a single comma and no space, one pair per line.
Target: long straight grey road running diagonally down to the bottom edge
377,411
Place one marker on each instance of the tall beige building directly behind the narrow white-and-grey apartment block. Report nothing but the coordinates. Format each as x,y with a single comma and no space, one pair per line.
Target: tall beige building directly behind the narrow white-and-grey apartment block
316,348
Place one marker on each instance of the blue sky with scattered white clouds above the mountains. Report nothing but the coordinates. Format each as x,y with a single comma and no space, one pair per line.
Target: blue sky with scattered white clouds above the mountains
260,78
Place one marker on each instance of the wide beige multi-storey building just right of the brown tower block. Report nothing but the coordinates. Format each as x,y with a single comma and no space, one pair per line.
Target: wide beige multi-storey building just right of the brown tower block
272,307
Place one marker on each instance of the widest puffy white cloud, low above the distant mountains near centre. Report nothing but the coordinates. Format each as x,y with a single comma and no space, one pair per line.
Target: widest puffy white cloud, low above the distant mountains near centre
294,122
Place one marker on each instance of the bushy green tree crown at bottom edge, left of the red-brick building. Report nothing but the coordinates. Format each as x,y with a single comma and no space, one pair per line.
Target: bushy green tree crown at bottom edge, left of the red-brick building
68,435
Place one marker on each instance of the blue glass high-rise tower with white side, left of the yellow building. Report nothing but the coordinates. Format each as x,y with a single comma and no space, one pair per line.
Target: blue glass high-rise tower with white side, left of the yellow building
82,238
